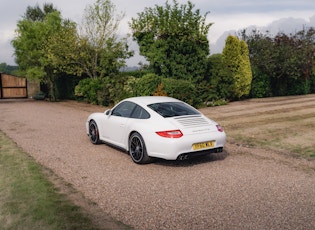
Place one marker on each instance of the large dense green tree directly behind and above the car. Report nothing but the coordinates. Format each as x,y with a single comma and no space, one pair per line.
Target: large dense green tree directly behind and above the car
173,39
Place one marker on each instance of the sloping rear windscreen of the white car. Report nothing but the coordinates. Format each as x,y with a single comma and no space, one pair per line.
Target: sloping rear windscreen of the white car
173,109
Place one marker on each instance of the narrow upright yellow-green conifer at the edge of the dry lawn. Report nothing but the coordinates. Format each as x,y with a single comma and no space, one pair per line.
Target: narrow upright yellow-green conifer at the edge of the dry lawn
235,57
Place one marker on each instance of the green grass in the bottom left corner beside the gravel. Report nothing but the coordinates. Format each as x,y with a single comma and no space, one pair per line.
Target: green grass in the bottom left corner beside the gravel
28,200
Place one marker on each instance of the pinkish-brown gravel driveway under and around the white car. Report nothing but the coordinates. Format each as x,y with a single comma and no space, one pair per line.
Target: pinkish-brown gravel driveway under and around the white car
241,188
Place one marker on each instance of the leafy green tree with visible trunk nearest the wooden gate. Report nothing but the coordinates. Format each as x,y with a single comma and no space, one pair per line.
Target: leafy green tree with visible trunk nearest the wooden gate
45,47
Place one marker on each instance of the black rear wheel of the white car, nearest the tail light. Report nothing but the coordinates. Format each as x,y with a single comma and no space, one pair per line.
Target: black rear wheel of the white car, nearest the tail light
137,149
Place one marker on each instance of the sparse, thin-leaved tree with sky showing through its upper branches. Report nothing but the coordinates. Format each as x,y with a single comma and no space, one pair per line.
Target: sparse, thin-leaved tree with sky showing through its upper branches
101,52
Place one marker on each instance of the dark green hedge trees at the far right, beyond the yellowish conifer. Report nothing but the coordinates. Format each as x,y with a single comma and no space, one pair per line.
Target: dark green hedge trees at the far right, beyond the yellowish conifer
285,62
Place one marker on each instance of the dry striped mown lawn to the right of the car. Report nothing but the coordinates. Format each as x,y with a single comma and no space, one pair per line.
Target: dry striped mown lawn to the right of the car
284,124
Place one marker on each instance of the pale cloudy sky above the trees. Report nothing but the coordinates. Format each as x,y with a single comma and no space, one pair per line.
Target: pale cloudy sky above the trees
227,15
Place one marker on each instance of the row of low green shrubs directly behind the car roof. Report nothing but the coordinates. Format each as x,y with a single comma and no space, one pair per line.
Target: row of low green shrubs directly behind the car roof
110,90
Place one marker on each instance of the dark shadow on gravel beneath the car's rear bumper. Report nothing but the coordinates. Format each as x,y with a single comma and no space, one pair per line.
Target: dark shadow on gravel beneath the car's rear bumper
193,160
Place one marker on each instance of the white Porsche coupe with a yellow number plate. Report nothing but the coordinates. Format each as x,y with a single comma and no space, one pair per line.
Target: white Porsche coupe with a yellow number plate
156,127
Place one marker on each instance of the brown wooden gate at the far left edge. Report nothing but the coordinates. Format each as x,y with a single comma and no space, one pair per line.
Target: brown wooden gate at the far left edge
12,86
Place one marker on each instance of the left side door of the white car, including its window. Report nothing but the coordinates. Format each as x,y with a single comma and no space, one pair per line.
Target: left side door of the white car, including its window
115,125
